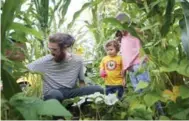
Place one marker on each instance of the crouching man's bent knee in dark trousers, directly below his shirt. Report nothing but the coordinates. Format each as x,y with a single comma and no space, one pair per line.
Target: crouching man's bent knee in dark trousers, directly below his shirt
54,94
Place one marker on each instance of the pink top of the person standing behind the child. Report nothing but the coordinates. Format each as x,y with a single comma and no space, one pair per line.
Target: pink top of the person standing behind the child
130,48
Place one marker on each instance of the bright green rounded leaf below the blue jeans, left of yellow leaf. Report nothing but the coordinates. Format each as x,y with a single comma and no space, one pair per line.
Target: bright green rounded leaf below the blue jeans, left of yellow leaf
151,98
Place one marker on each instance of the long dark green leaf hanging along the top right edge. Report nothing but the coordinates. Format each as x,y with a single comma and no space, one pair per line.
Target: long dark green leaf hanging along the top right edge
184,24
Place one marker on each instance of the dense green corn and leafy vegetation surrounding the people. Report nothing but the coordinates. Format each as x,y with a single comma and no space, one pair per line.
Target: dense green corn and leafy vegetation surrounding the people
161,25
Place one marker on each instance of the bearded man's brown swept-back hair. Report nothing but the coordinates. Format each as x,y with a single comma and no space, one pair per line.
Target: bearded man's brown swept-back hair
63,40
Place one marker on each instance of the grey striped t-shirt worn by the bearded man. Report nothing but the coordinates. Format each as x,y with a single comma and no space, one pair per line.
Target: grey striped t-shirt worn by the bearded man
57,75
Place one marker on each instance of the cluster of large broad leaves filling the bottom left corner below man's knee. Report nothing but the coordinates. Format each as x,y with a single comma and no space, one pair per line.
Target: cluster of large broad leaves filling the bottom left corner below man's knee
32,108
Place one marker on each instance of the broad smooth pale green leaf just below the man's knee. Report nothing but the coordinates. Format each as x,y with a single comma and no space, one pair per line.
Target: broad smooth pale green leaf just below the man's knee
53,107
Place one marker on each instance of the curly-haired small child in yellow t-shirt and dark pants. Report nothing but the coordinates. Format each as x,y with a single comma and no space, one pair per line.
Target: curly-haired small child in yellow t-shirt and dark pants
111,69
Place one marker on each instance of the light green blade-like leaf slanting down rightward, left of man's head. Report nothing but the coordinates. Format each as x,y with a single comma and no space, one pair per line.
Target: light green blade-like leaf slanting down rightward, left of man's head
18,27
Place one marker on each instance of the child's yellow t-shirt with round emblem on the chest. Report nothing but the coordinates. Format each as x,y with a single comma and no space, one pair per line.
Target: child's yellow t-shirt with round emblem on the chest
113,68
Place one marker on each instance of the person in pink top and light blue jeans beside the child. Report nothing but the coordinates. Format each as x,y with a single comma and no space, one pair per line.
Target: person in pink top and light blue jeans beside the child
132,59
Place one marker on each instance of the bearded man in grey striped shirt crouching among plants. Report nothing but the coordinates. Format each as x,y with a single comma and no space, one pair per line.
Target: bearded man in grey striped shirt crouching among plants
61,70
